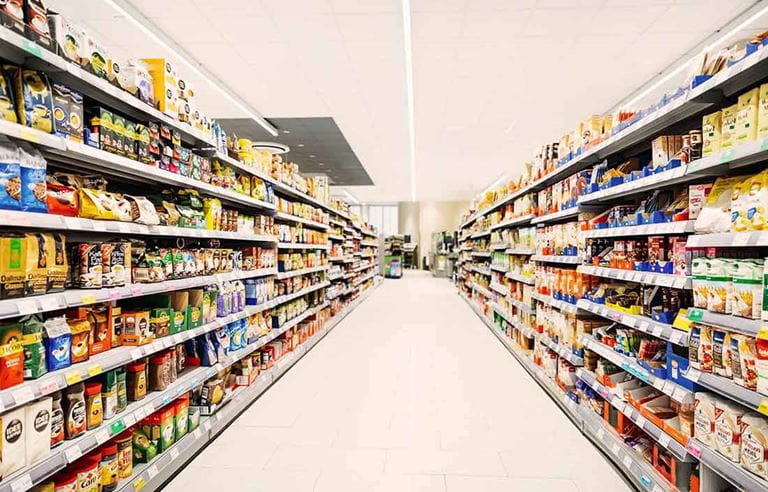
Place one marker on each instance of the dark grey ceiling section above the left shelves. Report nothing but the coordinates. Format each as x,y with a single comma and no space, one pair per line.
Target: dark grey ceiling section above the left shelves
316,143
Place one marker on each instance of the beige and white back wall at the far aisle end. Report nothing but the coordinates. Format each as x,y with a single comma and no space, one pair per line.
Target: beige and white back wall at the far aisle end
422,219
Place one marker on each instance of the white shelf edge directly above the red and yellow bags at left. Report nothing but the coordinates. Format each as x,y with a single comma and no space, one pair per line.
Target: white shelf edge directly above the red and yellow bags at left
84,156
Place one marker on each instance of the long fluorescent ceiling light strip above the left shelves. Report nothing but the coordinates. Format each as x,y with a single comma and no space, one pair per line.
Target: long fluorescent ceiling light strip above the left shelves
127,10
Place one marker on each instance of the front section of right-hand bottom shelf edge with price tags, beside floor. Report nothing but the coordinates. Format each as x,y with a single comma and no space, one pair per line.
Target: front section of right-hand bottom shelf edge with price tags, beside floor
642,474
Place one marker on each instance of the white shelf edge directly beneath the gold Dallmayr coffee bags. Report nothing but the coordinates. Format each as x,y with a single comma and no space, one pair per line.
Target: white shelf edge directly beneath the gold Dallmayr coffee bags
81,297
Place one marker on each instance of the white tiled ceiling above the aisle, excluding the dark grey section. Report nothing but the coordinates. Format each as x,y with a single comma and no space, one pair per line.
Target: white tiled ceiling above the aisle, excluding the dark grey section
492,79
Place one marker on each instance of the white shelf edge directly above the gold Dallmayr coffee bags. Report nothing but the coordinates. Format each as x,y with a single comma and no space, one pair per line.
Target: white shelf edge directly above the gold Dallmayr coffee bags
35,220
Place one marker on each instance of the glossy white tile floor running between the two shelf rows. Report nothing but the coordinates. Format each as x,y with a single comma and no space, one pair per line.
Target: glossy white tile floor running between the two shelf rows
411,392
